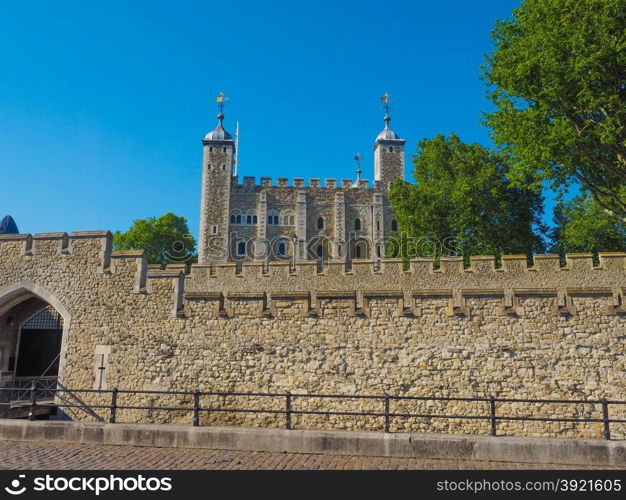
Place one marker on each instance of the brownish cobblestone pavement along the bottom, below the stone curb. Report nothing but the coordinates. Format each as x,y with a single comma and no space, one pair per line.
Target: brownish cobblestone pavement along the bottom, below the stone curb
29,455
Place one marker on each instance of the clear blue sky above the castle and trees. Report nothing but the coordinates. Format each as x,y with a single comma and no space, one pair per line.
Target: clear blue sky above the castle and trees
103,104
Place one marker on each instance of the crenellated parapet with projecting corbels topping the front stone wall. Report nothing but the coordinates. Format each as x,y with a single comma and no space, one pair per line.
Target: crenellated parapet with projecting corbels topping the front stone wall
307,285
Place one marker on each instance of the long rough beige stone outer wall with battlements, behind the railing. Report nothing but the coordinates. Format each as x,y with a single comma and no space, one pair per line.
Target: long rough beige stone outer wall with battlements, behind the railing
519,331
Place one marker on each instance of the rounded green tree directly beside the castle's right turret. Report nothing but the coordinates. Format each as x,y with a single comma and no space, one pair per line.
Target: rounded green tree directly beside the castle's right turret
463,201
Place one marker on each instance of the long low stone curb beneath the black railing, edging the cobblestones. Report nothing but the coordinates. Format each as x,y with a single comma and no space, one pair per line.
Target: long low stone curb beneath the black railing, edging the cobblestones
423,446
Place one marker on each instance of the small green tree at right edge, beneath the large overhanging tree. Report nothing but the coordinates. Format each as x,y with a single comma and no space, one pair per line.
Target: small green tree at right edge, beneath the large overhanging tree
582,226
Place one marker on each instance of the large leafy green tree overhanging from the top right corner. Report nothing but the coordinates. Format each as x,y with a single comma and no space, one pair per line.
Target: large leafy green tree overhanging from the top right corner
558,79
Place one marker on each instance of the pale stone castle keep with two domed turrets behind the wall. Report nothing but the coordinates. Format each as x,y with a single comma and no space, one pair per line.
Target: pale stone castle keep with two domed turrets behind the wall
346,220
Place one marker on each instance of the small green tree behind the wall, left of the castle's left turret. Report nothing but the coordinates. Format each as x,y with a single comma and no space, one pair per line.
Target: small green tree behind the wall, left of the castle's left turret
165,239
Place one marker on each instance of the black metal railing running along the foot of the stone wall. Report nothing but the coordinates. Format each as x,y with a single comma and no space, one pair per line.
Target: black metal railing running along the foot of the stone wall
288,411
